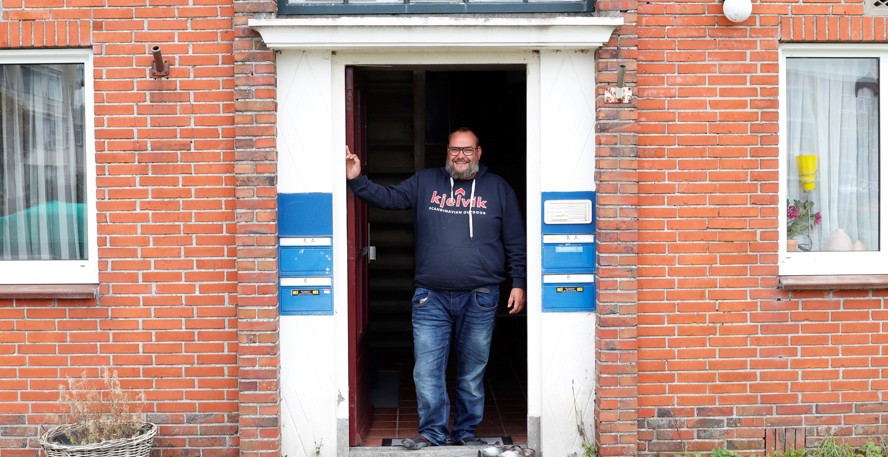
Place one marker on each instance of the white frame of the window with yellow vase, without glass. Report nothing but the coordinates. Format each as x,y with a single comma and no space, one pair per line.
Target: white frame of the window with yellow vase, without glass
833,263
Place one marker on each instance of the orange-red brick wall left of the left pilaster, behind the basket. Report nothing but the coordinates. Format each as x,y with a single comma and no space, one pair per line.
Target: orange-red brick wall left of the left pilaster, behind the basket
166,315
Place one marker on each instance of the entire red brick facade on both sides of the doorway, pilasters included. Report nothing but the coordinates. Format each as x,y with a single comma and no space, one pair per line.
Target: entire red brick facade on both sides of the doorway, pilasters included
698,347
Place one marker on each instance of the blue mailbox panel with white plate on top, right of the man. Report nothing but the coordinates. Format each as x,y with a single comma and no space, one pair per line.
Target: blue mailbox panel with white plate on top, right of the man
568,251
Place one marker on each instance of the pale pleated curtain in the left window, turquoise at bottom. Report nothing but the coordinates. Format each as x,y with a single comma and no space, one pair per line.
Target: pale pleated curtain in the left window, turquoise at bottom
41,162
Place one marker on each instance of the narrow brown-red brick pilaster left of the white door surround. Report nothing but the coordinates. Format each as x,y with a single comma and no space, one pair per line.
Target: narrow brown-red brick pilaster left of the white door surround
256,180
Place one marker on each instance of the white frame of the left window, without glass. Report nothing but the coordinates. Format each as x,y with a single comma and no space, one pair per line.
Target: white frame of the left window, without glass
86,271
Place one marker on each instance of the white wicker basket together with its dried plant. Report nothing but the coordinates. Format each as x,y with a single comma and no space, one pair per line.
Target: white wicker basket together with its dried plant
103,422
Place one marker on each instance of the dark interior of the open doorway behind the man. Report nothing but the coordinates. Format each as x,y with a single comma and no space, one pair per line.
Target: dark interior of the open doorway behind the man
408,113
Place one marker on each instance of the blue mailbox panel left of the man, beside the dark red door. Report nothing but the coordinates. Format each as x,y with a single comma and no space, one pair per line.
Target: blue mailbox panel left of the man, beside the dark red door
305,227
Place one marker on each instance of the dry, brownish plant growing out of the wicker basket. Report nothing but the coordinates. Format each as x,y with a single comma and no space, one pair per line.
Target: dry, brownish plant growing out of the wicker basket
101,412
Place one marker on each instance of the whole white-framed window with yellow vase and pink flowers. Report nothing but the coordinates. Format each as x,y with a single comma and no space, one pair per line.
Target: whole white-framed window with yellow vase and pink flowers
831,173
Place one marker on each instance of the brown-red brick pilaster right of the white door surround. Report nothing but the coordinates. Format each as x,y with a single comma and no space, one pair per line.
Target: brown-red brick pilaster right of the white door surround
616,218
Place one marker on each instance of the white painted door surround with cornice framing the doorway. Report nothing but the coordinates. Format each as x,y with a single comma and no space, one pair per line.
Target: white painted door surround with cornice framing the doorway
326,46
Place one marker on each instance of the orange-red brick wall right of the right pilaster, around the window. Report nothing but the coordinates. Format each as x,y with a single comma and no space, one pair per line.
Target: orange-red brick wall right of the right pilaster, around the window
723,354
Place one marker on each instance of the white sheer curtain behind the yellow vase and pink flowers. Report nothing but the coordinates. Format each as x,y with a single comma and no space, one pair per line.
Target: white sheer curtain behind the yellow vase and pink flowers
832,112
